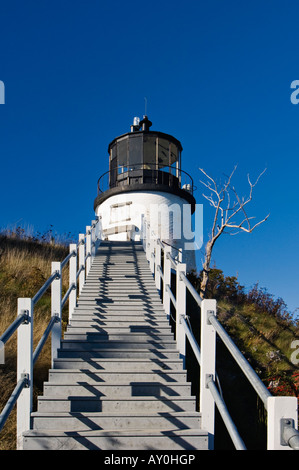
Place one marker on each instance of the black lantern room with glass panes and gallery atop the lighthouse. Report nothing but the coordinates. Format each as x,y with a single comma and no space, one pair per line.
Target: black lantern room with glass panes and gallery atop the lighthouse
145,160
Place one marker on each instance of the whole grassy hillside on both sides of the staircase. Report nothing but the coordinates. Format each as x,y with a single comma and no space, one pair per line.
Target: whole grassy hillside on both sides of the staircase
261,326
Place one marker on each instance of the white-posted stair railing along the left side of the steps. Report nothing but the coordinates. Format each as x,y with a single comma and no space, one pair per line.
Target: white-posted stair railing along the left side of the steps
82,255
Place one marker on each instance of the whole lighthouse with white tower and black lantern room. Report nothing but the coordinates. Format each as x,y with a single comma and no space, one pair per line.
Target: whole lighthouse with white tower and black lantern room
145,181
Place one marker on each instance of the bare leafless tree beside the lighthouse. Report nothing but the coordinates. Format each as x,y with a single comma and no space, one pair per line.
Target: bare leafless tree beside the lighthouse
230,215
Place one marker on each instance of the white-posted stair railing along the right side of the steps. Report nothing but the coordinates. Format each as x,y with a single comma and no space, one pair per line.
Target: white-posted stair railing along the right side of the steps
282,413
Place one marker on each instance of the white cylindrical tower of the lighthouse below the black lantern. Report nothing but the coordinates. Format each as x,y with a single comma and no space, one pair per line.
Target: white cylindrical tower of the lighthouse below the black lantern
169,216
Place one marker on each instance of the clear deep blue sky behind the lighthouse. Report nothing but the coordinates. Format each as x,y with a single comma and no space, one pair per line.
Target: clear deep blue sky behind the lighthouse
216,75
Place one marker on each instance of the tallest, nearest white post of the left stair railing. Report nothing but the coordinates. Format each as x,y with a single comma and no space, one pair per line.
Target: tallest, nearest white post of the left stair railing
24,369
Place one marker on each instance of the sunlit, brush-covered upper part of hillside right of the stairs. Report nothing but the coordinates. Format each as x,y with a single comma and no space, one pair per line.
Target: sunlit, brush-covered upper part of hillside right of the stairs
261,325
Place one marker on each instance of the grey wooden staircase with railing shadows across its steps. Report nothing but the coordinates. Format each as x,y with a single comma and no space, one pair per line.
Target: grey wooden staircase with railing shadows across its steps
118,382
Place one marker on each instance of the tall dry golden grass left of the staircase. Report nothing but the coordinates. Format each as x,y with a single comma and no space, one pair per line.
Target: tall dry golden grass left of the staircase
24,267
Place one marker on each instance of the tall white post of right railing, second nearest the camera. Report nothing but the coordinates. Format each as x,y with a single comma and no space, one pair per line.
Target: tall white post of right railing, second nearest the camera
208,368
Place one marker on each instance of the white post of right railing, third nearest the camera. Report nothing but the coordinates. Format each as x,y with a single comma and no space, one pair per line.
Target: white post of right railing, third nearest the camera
180,311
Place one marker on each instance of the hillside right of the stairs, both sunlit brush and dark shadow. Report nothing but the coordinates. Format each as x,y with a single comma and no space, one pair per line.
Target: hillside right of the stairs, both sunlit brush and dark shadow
267,334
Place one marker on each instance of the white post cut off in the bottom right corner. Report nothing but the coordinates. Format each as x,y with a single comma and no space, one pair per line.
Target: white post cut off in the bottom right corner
279,409
